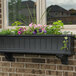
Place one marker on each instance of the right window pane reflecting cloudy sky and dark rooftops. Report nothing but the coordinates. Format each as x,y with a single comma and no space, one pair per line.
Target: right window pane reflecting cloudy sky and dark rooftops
64,10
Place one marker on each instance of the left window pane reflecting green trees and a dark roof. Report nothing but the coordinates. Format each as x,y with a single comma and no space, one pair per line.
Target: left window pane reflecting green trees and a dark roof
22,10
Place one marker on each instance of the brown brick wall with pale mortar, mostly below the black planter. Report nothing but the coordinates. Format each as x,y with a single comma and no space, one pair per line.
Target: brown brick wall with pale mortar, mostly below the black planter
36,65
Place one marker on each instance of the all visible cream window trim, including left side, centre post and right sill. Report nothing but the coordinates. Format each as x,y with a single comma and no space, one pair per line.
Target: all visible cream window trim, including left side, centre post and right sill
41,7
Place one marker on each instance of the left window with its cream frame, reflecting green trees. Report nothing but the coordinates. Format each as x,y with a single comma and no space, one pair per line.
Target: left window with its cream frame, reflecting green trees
22,10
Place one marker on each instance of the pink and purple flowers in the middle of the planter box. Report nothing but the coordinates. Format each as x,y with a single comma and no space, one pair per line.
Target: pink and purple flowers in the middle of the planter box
33,29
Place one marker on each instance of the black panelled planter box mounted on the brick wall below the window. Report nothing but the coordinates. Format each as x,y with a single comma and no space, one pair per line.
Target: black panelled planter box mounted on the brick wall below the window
37,44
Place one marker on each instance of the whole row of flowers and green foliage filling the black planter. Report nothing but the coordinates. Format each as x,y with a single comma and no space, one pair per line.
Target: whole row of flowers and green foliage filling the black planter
36,29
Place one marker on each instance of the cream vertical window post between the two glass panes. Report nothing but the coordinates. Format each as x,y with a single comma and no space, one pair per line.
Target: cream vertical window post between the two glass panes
41,15
